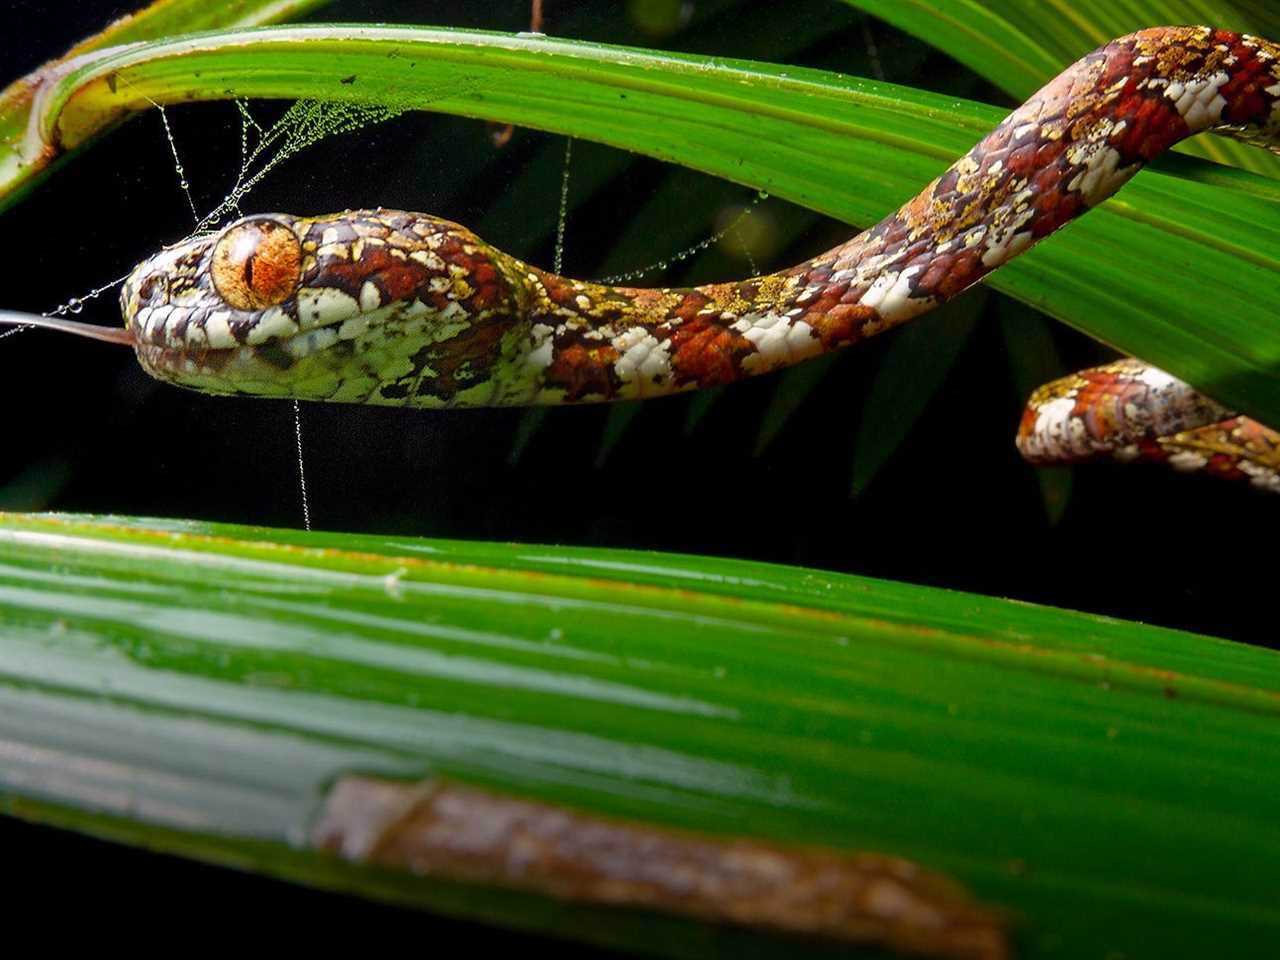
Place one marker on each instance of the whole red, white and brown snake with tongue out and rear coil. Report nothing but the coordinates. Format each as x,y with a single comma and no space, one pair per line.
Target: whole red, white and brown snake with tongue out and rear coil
395,308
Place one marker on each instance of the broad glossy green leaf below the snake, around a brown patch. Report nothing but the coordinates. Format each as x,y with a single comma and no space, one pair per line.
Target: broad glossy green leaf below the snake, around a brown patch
199,688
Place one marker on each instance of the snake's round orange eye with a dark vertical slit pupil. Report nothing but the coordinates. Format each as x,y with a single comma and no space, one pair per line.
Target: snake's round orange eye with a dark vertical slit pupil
257,264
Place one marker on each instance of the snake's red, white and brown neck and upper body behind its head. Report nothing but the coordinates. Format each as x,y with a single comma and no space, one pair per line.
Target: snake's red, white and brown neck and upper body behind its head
1068,149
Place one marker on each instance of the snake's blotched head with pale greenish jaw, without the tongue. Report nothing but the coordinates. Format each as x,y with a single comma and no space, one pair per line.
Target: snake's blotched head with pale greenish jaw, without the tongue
373,307
